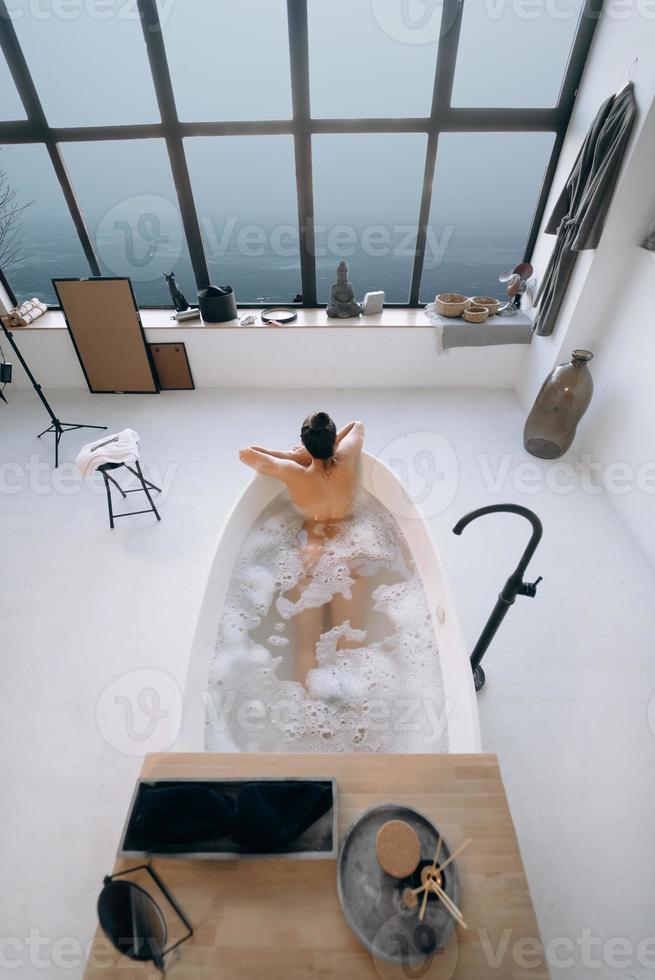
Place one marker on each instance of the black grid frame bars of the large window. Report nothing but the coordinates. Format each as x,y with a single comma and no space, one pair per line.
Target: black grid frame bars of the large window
443,118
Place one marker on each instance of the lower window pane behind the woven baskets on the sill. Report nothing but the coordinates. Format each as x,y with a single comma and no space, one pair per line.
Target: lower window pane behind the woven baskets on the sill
485,192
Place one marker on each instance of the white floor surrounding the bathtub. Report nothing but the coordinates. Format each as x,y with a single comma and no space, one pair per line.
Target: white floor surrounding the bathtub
570,676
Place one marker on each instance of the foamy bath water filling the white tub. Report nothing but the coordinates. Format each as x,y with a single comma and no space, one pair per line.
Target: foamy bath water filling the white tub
343,599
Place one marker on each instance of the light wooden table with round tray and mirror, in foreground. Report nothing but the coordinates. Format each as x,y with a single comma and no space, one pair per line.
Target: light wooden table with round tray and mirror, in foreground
281,920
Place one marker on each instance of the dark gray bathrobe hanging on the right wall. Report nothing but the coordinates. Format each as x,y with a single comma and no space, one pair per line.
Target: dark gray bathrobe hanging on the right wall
579,214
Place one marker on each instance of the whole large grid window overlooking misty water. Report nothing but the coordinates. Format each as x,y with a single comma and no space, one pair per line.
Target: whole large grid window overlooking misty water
258,142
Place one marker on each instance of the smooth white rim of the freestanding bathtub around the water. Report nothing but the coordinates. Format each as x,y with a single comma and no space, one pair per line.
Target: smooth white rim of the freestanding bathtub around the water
381,482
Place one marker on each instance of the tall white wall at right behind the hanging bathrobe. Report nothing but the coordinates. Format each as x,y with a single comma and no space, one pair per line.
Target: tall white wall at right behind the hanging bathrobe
609,304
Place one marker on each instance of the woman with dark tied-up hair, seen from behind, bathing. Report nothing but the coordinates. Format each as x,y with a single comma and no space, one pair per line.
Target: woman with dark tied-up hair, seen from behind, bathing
321,477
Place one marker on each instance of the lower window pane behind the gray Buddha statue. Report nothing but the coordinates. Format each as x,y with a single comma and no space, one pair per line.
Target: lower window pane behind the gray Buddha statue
367,190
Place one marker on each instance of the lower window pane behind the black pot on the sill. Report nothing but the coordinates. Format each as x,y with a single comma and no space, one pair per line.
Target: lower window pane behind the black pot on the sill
245,193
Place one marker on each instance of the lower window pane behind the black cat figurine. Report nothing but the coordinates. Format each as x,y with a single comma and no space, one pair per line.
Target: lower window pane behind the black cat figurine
126,193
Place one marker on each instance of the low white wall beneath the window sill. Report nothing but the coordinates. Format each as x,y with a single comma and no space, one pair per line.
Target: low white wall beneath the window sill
329,357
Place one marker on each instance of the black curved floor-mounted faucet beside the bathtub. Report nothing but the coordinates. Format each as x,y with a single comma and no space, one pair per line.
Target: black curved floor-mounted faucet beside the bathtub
513,586
